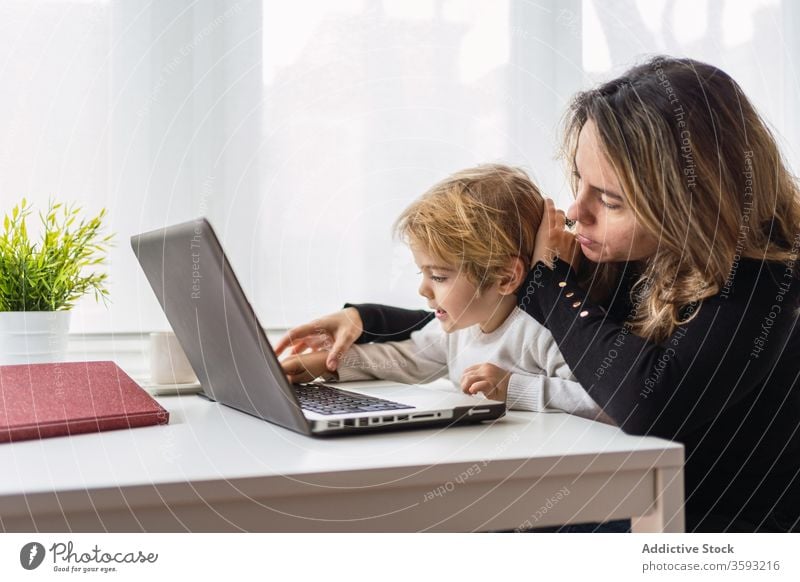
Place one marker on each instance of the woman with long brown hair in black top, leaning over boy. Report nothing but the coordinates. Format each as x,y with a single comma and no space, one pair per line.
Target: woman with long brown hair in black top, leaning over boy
675,301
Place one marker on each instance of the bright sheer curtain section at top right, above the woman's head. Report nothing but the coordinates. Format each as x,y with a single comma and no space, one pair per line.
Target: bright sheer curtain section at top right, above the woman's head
755,41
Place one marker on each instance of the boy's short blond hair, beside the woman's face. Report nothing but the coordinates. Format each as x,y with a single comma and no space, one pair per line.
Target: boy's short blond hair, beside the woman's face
477,219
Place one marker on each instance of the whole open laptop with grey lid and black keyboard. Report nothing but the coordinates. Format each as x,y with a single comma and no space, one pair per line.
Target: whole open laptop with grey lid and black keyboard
236,365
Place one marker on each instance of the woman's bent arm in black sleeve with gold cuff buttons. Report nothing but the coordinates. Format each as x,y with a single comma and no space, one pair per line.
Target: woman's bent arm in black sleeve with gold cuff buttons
712,362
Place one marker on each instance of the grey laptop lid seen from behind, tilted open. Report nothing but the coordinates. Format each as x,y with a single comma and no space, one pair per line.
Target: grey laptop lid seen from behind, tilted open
215,323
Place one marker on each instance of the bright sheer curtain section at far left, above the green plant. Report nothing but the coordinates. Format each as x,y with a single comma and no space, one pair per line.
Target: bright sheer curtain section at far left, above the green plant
55,103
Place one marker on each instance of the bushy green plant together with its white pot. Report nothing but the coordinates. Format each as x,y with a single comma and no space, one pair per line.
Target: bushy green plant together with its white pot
41,280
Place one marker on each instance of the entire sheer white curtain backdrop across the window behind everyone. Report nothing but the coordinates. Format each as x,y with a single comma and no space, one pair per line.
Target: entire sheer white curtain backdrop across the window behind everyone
303,128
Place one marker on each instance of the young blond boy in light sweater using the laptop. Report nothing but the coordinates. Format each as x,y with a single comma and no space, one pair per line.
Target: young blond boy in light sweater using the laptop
472,236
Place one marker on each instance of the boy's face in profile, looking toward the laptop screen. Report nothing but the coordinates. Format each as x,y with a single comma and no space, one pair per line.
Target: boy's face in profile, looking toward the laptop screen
454,297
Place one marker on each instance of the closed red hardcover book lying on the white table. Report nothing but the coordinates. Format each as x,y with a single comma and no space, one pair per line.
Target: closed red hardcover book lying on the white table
44,400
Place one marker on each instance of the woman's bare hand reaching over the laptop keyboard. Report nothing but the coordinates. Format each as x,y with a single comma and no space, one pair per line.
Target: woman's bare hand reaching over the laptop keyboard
333,333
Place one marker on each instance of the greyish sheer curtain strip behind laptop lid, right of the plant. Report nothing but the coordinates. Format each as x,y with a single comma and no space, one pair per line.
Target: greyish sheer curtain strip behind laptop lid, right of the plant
188,94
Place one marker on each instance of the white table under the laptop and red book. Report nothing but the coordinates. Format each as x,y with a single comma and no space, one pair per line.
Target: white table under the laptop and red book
216,469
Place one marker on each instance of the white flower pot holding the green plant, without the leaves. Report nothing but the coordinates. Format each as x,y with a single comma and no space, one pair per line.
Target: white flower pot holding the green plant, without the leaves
32,337
